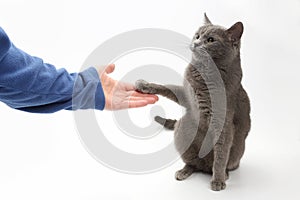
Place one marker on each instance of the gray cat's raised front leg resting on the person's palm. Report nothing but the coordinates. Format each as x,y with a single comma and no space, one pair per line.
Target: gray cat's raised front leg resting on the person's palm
173,92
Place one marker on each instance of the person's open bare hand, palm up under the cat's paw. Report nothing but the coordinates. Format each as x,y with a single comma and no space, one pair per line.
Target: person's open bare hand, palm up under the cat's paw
120,95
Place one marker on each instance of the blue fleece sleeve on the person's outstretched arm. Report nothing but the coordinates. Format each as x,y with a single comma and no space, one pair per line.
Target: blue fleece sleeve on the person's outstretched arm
29,84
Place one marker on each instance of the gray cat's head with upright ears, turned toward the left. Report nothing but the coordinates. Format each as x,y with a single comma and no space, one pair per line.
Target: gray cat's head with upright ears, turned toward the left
220,43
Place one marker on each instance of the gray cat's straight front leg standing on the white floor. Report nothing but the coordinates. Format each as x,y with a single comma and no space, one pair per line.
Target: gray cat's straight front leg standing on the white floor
221,156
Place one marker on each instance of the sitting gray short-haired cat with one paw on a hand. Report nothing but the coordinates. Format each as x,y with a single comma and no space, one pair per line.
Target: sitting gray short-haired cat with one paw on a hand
223,47
